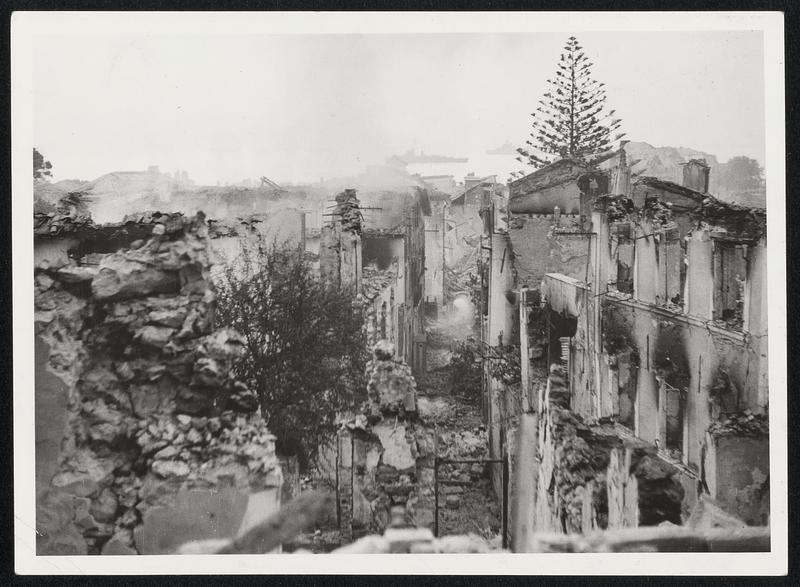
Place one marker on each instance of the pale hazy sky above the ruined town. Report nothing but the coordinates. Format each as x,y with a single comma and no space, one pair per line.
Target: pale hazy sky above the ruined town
297,107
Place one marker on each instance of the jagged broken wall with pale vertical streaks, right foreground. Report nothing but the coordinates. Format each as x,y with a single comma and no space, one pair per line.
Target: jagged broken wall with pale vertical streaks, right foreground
591,476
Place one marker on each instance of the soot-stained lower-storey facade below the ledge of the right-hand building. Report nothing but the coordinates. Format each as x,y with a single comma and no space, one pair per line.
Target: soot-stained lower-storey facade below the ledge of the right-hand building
716,367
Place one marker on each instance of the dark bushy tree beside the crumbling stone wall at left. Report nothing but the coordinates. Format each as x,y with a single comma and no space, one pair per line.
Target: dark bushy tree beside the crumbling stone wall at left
306,347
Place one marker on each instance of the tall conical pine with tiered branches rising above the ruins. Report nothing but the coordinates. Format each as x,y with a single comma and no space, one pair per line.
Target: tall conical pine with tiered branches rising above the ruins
570,120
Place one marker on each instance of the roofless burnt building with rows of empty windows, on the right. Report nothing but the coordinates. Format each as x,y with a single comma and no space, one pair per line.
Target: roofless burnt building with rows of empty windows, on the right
650,298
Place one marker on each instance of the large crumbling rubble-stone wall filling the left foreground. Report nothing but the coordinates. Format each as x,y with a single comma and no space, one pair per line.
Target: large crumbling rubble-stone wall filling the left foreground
144,439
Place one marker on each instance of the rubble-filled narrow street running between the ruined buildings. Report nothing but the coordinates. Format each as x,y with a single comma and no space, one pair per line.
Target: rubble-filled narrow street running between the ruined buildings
467,503
